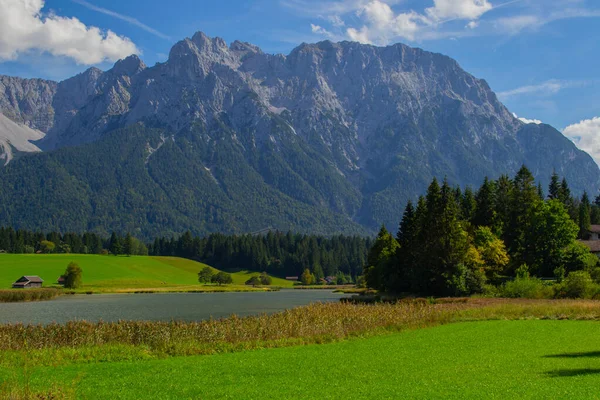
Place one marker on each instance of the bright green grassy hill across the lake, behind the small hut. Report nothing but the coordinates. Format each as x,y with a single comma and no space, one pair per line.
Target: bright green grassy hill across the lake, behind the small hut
109,273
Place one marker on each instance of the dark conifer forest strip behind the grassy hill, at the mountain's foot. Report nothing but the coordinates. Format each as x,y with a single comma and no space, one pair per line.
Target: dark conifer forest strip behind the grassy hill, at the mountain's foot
276,253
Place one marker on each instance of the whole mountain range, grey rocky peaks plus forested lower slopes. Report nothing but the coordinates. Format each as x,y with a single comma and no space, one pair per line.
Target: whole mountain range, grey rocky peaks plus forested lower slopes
332,138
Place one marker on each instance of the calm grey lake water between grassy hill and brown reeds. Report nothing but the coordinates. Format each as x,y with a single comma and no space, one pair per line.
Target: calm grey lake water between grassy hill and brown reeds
159,306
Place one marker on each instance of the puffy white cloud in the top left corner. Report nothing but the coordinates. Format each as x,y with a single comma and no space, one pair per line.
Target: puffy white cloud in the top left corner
23,28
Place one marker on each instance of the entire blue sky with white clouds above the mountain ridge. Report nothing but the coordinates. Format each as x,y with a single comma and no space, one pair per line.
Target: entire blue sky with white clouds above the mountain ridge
541,57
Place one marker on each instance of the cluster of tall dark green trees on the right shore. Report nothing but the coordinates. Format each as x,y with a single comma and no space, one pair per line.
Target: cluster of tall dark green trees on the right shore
456,242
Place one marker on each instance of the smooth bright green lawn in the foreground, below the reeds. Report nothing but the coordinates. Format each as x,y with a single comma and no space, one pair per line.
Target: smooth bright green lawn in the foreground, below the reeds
533,359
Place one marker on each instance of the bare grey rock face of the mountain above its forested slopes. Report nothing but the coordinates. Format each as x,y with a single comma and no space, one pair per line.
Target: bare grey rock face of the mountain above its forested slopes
385,119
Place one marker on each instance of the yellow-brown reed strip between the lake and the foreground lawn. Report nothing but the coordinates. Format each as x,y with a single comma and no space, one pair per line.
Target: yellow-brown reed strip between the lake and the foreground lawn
310,324
